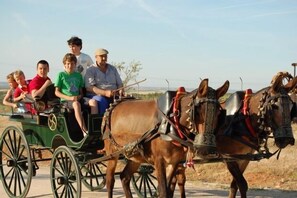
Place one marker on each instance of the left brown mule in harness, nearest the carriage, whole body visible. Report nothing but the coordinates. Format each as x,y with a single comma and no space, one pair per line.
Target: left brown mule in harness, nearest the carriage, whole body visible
133,129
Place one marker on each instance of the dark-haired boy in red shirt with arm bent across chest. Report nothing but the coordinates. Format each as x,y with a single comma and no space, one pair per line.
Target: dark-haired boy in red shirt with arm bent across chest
41,81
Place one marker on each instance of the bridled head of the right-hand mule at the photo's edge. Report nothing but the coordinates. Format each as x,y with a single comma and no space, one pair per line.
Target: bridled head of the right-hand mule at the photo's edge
275,111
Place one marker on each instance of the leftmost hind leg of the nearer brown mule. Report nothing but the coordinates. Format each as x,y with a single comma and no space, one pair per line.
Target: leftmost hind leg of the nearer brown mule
110,172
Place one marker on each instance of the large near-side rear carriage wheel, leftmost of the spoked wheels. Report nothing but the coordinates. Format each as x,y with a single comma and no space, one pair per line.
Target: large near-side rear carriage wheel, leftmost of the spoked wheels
15,165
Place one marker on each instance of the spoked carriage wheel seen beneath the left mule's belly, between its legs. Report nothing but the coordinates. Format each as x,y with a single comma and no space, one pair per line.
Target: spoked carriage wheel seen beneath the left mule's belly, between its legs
144,182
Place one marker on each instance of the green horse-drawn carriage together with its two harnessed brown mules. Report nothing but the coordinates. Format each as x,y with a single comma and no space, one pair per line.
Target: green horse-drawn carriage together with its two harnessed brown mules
161,133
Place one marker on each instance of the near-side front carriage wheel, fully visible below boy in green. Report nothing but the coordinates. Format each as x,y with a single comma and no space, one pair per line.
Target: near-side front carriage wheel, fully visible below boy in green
65,174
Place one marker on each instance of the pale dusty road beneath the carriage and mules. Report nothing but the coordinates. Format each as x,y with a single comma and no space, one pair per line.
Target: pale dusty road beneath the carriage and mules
41,188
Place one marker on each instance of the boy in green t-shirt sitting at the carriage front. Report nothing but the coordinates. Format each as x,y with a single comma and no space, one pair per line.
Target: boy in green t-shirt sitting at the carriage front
69,84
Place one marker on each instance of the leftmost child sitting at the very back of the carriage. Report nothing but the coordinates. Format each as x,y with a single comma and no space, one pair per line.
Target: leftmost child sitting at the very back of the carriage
8,98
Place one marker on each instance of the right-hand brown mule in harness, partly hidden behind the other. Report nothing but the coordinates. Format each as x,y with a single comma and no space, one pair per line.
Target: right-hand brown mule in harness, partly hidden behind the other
251,119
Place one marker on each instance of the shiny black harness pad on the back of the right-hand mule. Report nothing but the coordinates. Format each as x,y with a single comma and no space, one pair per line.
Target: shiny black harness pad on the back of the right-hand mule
234,102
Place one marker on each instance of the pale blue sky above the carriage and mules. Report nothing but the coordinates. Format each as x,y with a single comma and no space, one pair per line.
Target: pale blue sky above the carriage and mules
181,41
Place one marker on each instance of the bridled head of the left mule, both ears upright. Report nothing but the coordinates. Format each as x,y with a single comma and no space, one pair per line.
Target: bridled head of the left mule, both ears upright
199,115
